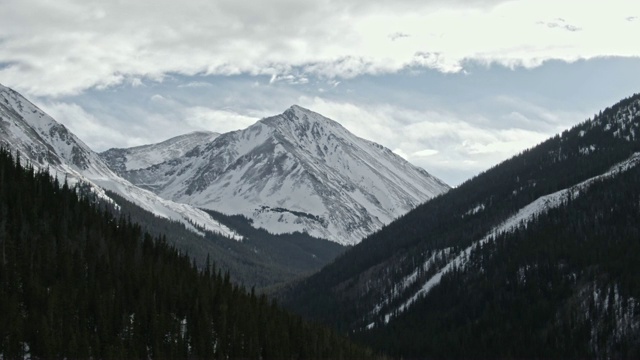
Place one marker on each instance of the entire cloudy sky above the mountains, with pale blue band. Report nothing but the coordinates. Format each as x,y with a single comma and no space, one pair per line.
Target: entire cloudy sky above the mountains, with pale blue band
453,86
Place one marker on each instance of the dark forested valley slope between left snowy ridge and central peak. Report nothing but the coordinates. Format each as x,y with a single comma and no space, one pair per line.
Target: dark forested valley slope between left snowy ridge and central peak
260,260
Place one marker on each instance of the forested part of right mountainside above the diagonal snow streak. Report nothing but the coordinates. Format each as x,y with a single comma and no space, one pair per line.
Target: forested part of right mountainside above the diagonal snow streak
370,272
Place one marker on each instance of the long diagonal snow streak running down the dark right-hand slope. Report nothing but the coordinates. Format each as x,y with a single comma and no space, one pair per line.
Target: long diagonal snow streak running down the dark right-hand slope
524,215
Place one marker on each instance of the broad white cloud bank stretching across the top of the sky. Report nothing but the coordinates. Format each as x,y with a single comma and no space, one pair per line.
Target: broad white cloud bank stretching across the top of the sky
68,46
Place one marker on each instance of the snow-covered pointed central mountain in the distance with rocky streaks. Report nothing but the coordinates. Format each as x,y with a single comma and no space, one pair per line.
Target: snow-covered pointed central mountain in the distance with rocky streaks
298,171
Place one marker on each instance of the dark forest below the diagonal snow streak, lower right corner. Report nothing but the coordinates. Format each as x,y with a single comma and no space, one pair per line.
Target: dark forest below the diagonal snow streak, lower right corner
565,285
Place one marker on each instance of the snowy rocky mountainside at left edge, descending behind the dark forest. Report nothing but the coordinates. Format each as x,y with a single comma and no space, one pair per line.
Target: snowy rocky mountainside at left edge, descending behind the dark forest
47,144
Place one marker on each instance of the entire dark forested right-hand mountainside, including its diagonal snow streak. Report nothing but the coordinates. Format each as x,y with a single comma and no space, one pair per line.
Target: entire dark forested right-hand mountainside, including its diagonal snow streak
537,257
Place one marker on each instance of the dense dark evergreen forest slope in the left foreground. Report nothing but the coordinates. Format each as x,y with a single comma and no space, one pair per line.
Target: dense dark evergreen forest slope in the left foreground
76,282
